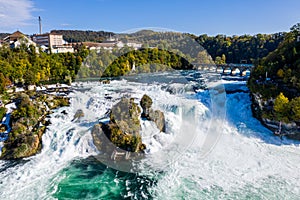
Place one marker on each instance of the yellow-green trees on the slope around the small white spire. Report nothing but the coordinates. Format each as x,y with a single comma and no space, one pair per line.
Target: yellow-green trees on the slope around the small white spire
119,63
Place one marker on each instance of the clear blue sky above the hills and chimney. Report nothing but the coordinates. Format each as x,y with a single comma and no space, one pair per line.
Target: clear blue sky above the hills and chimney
212,17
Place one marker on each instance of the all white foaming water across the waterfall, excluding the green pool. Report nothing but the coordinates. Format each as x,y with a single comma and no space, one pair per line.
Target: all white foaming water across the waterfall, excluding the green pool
246,162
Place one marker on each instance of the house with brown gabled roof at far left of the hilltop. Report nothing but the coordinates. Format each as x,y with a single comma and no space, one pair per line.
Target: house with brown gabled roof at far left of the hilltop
17,38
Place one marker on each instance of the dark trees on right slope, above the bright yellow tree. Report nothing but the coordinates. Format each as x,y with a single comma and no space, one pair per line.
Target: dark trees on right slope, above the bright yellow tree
282,66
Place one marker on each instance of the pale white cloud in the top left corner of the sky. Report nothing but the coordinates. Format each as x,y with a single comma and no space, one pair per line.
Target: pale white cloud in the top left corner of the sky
15,13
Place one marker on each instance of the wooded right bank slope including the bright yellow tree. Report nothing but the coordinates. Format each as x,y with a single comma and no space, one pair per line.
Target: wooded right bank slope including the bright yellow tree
277,76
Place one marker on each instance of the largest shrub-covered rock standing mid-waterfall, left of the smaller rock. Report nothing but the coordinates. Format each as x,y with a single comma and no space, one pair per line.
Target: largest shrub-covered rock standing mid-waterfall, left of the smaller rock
123,129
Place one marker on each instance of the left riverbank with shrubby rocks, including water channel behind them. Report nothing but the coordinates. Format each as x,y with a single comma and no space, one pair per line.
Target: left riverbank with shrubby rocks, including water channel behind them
26,120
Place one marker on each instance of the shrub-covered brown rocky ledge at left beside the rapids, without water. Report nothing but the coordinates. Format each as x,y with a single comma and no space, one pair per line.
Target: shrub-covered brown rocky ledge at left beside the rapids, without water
28,123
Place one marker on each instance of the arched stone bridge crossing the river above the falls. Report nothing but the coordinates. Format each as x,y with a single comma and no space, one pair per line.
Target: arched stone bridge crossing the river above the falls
229,69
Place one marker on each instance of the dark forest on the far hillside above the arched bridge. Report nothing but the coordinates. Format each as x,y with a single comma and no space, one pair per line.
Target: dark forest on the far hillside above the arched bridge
231,49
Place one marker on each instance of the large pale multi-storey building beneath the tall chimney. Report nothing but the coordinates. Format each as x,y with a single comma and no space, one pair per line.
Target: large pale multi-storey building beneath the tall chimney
53,42
